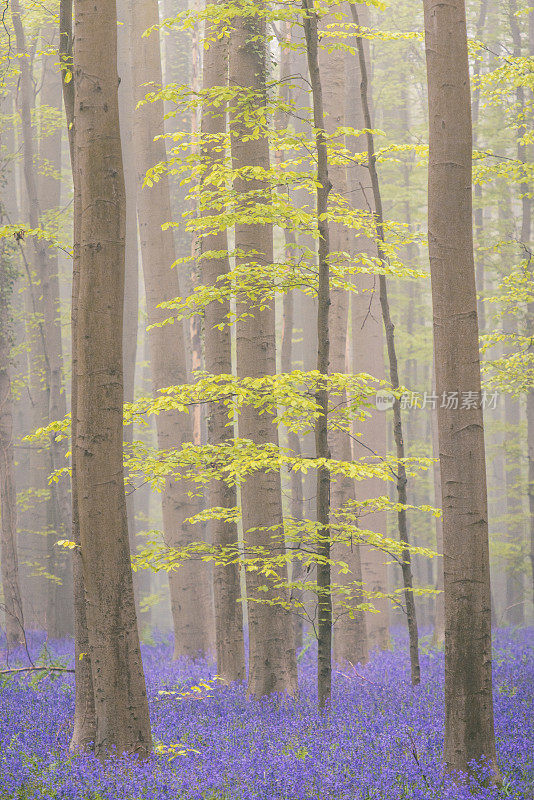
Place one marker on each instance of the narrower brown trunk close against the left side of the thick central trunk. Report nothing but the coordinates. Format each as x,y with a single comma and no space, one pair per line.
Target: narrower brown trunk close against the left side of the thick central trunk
229,639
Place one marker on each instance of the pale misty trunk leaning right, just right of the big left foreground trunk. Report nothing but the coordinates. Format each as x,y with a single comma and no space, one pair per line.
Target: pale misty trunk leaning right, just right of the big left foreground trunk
191,600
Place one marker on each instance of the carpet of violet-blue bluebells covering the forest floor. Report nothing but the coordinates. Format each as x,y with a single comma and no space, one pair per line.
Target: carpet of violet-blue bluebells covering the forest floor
381,739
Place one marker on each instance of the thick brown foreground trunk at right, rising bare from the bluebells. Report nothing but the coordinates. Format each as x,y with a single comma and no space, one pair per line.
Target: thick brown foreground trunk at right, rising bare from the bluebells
469,732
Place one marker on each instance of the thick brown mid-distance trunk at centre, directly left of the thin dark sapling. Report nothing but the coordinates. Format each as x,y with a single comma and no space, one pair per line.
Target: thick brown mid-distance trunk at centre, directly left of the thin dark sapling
272,661
